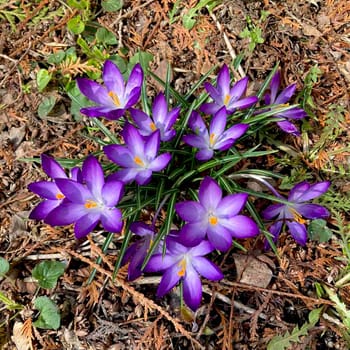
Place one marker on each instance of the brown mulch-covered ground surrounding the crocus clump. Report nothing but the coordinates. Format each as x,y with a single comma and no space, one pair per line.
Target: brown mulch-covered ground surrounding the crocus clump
121,315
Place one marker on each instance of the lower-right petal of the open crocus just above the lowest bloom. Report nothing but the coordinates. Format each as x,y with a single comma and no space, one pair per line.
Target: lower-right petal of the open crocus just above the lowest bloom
241,226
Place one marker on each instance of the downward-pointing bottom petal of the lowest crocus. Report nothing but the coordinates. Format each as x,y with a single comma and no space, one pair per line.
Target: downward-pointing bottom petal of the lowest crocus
192,289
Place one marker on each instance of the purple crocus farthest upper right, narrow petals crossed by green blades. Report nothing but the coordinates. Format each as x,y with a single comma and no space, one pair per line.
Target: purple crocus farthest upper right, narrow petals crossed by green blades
282,99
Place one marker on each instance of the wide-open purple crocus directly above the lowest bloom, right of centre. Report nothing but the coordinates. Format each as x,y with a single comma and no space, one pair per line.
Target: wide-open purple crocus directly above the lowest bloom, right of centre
214,217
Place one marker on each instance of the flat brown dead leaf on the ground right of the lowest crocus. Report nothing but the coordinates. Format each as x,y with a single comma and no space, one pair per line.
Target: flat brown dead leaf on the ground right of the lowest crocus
252,271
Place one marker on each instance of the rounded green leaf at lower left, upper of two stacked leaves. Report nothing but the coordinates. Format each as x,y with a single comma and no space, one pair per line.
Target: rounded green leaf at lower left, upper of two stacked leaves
47,273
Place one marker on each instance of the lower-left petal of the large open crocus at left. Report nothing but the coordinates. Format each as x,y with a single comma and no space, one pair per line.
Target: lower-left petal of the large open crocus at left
65,214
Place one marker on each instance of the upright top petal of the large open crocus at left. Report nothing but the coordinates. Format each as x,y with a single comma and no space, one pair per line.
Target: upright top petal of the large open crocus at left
93,175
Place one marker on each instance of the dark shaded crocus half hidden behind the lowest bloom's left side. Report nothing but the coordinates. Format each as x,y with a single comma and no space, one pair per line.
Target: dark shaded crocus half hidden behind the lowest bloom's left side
137,251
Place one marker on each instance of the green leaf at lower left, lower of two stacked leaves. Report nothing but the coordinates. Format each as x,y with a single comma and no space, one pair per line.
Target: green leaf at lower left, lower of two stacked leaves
49,317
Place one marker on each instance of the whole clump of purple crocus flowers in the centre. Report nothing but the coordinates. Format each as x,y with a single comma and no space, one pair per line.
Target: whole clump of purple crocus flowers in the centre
86,198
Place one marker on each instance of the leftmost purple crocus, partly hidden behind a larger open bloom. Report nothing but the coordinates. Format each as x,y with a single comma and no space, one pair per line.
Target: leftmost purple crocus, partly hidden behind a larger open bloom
48,189
